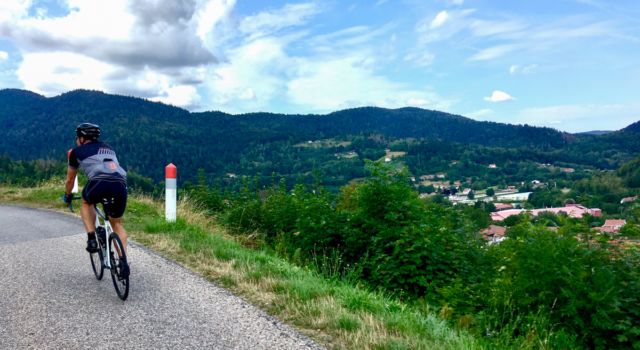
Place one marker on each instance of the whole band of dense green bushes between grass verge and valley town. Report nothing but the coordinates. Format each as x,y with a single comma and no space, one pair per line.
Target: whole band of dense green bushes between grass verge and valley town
567,288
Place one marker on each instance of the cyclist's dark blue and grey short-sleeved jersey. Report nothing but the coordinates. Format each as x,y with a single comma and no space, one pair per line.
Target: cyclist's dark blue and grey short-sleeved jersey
98,161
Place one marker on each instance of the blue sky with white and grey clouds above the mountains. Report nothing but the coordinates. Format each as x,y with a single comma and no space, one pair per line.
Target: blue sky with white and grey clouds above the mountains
573,65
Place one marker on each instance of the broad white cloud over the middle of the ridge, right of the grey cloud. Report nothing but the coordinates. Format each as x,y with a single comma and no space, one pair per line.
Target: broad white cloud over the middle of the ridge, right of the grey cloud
341,73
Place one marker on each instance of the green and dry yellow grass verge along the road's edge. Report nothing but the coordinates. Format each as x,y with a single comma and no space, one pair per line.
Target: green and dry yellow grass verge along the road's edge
335,313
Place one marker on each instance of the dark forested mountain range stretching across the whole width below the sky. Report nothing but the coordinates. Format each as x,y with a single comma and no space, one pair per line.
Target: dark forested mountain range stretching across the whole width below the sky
148,135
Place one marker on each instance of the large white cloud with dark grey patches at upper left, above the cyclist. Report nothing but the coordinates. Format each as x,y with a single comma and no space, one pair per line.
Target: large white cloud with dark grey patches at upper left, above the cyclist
147,48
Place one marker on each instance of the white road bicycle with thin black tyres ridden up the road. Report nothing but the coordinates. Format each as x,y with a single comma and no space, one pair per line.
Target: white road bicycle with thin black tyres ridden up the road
113,251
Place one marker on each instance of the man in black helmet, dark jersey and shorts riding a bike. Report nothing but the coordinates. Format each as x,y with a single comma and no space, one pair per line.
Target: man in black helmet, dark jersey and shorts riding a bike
107,184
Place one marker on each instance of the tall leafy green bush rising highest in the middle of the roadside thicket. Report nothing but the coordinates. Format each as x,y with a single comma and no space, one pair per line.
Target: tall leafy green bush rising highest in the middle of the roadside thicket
403,244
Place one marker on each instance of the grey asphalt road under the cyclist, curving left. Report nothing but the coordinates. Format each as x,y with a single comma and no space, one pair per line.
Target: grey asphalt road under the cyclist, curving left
49,298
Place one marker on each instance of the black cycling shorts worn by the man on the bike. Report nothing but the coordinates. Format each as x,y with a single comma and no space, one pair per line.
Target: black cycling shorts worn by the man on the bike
111,193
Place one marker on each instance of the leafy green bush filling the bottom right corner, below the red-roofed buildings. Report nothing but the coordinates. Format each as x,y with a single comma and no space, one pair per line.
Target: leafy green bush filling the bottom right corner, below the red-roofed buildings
579,287
